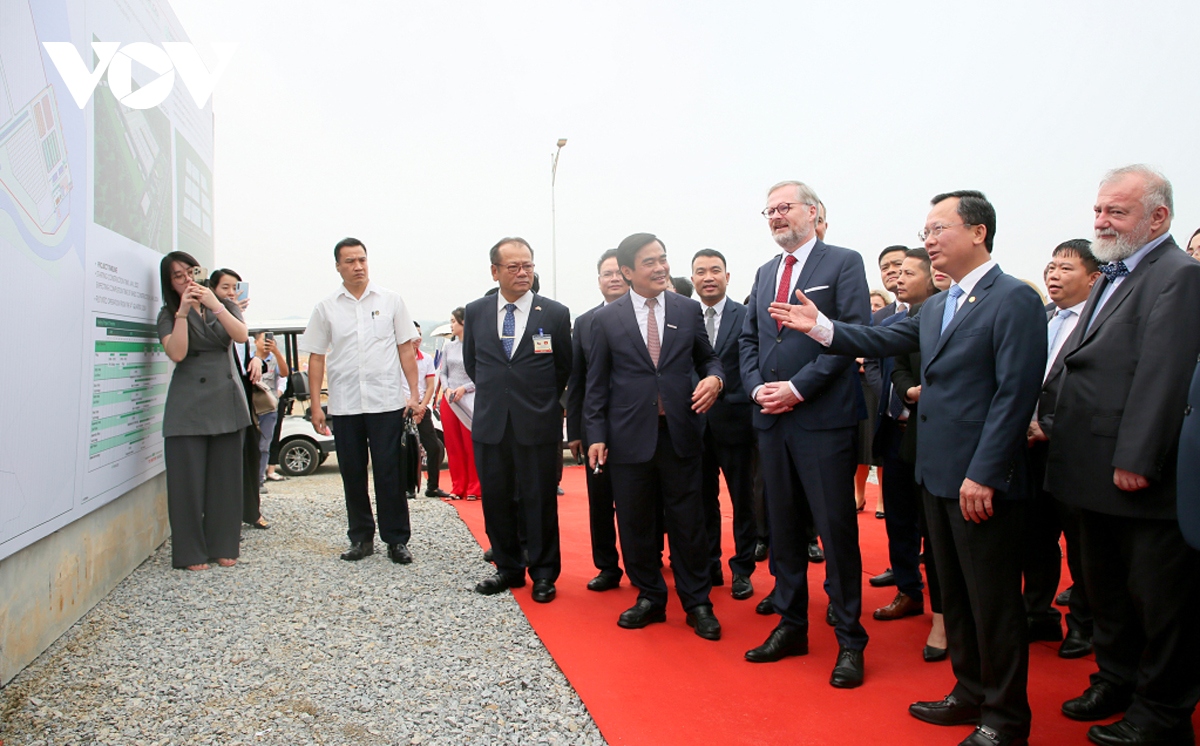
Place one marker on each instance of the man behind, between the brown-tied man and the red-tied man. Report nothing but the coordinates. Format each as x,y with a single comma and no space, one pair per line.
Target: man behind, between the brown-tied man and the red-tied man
729,428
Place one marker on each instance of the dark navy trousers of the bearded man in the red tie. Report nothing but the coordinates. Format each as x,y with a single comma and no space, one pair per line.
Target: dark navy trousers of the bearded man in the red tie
814,472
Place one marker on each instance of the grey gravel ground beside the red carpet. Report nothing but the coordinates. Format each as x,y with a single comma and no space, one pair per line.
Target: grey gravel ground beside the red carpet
296,647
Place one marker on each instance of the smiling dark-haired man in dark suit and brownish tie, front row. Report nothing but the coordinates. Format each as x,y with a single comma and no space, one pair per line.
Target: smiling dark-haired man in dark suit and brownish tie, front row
643,416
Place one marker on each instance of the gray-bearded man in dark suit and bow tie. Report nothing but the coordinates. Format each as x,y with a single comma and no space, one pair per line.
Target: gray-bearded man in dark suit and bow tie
1113,455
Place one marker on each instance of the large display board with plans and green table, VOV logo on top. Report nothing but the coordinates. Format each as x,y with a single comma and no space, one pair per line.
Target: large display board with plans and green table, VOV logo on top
93,194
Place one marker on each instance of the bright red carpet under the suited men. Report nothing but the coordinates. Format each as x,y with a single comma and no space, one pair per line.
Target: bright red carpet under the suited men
664,685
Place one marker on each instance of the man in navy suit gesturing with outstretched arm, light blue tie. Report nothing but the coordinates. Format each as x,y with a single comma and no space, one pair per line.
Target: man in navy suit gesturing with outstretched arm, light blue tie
983,348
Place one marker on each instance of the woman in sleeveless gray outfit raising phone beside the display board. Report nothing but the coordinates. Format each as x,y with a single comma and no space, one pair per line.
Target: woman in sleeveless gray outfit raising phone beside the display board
205,419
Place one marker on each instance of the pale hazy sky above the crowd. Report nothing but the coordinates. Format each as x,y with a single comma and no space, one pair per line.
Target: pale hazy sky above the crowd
427,130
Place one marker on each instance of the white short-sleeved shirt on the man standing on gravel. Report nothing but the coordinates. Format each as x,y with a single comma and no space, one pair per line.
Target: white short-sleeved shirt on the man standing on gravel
359,338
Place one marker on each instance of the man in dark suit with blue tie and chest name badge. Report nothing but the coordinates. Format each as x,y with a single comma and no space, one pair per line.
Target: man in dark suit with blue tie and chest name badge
517,347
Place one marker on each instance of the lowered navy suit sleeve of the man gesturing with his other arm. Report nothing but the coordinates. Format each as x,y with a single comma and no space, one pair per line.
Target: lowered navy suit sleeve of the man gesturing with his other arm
1019,348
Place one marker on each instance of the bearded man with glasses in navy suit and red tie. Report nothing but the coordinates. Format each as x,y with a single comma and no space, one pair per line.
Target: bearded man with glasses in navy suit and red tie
807,422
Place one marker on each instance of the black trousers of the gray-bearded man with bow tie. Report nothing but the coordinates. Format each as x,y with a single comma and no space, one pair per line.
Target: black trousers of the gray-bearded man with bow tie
1144,582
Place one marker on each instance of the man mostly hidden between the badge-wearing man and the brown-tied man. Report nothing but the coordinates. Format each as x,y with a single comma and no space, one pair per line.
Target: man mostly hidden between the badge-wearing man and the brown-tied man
602,514
